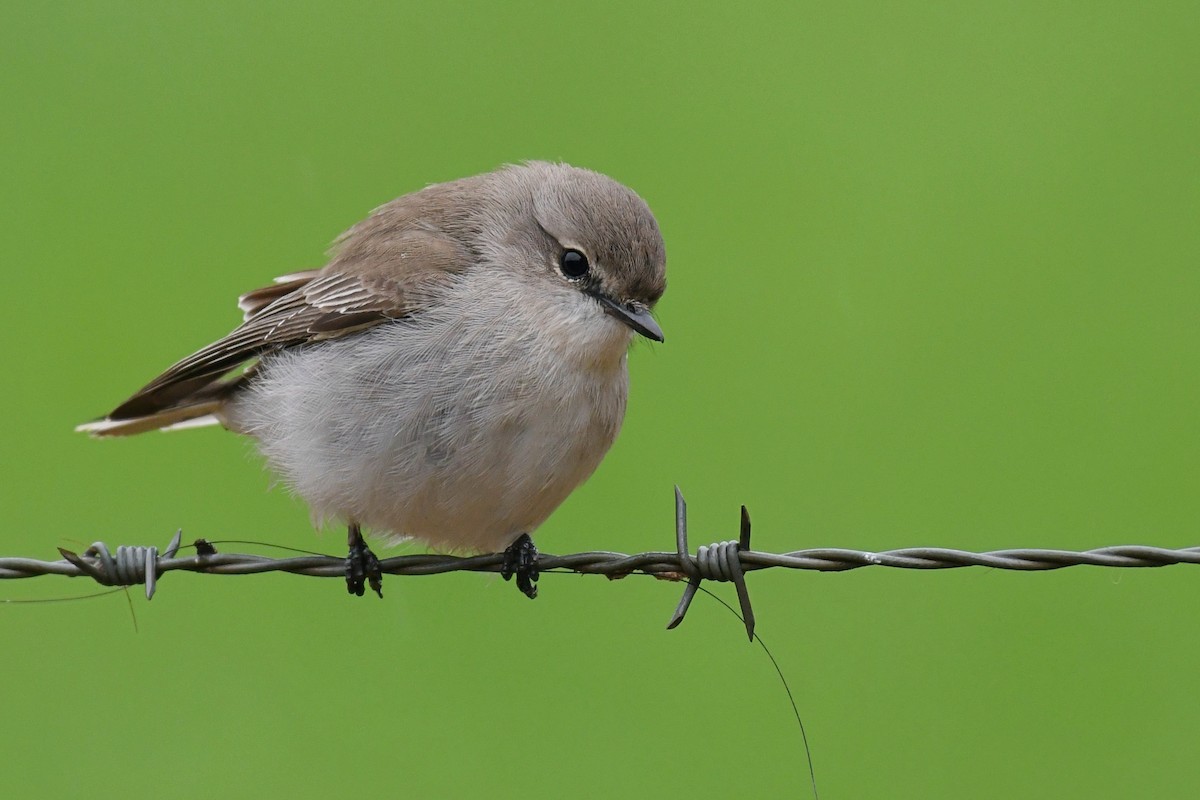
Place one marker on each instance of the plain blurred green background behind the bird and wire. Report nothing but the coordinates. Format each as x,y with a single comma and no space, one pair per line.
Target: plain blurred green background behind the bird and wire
933,281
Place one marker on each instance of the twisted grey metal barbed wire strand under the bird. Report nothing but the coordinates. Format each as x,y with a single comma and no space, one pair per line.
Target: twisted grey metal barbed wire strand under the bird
728,562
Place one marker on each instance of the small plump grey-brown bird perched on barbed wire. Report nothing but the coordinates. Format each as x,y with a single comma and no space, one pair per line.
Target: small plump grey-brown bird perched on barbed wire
451,376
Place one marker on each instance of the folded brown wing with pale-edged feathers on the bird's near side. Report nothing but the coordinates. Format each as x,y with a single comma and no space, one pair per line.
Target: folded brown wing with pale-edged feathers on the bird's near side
308,308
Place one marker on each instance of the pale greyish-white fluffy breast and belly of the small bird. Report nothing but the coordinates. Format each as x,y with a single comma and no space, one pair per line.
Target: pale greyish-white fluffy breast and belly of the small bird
464,426
